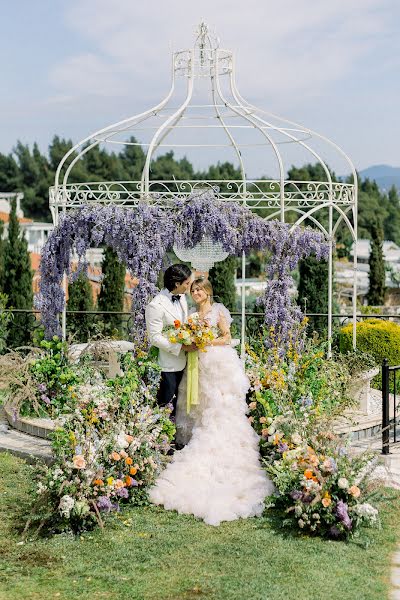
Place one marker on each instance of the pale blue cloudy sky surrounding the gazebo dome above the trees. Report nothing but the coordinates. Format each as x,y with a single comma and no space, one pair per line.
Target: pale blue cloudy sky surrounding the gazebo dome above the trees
72,67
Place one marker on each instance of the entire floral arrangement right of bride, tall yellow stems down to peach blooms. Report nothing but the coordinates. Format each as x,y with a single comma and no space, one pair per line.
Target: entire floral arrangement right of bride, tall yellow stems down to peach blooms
293,400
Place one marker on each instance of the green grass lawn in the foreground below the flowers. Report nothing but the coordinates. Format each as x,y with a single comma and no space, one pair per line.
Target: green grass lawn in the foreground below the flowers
151,554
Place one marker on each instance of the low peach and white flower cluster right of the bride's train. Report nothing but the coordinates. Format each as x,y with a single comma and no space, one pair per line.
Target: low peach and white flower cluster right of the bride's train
321,488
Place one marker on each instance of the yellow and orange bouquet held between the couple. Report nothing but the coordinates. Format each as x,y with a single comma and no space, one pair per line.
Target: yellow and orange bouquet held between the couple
196,331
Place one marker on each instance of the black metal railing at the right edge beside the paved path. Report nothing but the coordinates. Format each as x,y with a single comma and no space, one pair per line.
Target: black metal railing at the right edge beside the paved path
389,422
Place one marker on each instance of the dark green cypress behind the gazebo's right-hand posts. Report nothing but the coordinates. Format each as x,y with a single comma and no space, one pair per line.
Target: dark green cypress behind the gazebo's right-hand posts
313,291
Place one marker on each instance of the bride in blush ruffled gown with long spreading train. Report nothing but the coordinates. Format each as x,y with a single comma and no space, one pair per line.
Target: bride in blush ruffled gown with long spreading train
217,476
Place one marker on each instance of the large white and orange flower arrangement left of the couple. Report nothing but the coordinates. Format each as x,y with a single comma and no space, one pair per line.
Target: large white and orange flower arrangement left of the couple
107,449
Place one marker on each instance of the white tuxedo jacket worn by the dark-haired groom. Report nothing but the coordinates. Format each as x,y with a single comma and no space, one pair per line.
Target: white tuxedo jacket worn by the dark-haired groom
160,312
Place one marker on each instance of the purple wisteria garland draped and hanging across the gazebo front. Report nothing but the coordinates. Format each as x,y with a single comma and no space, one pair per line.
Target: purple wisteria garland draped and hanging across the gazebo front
141,236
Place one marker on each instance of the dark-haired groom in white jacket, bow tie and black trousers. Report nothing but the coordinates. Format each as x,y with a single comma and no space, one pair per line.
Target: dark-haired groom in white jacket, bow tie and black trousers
169,305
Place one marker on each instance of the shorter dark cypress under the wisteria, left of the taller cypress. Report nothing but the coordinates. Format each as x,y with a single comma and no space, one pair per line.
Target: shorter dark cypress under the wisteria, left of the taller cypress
80,298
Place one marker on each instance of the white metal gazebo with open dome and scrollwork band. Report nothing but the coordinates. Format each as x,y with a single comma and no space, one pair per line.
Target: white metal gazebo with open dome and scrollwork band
204,113
